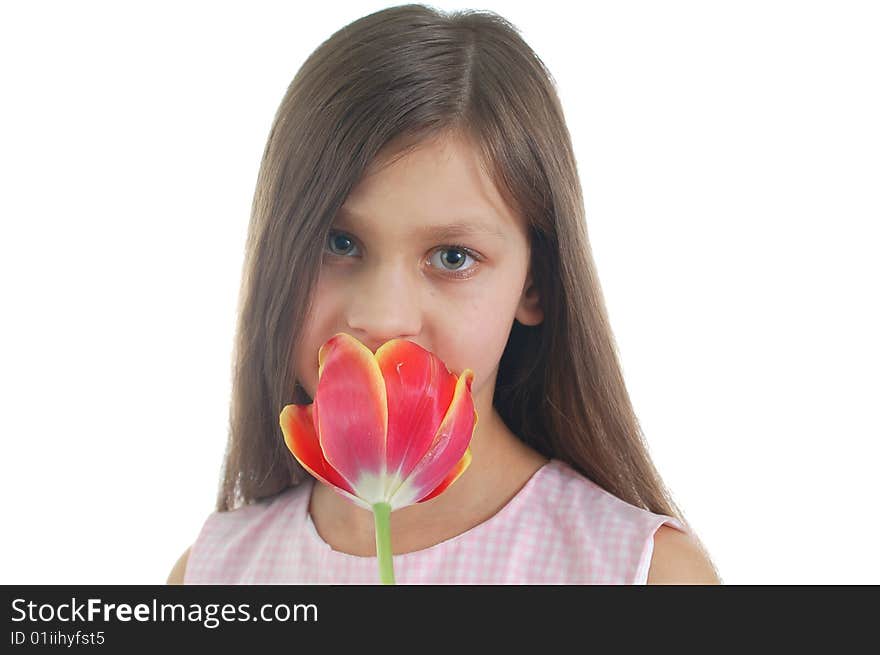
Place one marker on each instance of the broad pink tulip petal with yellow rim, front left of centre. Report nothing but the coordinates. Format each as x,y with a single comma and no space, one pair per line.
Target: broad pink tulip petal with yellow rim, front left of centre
351,414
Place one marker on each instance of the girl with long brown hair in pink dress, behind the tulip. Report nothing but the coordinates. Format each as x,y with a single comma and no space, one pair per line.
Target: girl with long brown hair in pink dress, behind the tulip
419,182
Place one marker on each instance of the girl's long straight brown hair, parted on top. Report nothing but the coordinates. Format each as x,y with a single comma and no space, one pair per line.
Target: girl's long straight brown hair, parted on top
376,87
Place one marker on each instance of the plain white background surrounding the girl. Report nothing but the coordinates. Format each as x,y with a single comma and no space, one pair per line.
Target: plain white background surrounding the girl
730,159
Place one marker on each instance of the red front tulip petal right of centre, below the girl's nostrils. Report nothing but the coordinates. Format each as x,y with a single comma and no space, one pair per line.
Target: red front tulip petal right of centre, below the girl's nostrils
419,390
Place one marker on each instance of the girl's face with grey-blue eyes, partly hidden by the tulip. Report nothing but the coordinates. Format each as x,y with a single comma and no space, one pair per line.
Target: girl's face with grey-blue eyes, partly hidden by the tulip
395,267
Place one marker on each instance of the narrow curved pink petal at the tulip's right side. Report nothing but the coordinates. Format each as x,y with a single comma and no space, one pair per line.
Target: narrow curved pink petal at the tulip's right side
447,449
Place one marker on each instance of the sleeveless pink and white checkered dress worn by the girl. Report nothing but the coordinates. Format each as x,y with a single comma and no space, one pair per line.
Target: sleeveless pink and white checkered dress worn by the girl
560,528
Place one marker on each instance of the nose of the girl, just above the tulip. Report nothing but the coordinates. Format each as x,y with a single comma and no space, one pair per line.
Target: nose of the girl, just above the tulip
384,304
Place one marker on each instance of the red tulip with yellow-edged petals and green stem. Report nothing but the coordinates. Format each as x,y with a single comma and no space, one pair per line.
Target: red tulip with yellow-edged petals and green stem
386,430
